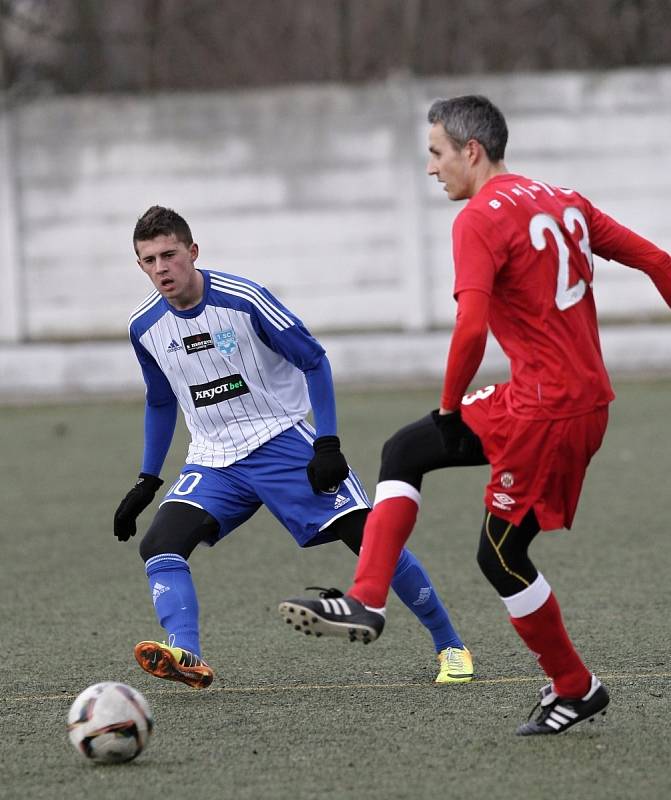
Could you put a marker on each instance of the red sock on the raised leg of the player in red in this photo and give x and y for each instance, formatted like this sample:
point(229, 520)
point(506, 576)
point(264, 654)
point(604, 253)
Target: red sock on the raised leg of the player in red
point(388, 527)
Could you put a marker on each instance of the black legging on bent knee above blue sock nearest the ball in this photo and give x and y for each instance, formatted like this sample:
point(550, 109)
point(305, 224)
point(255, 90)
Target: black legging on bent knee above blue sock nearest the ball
point(177, 528)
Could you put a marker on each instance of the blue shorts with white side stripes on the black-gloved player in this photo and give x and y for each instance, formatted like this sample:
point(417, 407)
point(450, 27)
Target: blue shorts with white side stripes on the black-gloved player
point(272, 475)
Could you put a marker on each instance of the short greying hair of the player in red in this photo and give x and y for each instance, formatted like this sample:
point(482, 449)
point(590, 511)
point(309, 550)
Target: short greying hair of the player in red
point(472, 116)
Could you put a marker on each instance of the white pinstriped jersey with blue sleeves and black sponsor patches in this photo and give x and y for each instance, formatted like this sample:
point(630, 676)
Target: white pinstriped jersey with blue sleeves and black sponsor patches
point(235, 363)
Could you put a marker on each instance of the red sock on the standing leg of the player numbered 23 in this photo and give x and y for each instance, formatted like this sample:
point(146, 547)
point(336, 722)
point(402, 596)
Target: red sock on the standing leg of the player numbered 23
point(544, 634)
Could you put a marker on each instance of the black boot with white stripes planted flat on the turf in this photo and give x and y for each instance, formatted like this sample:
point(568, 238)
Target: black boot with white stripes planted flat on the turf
point(558, 714)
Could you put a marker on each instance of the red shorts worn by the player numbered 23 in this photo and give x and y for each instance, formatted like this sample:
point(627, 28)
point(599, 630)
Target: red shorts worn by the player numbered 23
point(535, 464)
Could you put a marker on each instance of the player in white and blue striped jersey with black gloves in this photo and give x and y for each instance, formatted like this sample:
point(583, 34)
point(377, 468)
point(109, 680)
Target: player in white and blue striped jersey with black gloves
point(245, 372)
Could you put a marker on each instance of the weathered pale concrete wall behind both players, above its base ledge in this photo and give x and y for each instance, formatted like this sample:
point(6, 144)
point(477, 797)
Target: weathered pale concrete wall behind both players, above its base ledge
point(317, 192)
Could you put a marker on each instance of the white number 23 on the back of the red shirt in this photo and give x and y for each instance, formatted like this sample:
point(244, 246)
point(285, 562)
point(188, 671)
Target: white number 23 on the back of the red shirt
point(566, 296)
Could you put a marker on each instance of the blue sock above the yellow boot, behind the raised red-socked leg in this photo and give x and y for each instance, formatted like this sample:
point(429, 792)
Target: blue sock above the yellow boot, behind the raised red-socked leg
point(413, 586)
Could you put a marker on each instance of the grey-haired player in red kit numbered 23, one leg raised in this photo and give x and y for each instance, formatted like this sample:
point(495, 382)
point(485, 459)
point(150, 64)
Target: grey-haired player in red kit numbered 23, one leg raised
point(523, 269)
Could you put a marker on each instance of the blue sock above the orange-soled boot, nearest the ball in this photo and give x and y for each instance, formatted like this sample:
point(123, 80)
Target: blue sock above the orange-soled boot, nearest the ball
point(175, 600)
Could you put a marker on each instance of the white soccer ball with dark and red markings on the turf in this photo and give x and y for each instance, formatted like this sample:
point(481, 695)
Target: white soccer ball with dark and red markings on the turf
point(109, 723)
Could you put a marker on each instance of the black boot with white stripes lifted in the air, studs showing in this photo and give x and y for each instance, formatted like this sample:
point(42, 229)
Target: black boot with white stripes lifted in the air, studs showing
point(333, 614)
